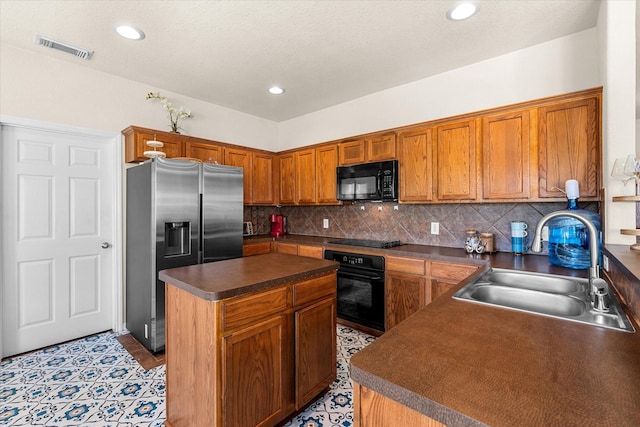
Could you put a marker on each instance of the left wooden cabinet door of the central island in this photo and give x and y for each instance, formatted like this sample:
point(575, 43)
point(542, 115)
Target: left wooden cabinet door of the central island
point(256, 374)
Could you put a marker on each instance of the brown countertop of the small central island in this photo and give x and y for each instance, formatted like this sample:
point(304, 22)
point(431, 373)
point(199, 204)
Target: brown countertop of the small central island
point(224, 279)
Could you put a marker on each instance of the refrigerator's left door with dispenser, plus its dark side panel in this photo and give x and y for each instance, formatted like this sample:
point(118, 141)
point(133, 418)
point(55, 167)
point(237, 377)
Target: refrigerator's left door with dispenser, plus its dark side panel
point(162, 232)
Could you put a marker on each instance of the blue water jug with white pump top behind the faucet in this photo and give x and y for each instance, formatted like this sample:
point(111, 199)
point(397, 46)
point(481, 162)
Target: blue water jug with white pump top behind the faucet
point(569, 238)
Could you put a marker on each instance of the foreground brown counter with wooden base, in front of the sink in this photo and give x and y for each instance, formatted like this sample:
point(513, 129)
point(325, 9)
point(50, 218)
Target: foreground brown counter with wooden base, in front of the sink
point(462, 364)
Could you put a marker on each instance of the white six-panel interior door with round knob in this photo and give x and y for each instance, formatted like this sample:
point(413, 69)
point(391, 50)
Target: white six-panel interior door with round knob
point(57, 235)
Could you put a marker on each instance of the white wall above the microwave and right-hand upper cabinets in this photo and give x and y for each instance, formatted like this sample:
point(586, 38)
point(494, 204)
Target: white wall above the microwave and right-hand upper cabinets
point(560, 66)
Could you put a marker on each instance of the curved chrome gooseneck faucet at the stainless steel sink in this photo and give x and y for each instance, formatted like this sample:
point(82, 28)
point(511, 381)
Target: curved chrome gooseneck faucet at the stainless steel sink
point(598, 288)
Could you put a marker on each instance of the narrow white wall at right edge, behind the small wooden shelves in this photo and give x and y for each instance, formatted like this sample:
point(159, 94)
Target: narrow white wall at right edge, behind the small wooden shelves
point(616, 44)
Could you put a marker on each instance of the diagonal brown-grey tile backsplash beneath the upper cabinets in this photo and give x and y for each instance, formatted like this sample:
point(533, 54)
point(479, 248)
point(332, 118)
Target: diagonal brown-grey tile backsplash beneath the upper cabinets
point(409, 223)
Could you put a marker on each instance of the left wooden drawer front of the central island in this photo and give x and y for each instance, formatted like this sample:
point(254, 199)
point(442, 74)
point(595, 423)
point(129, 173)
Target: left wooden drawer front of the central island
point(242, 311)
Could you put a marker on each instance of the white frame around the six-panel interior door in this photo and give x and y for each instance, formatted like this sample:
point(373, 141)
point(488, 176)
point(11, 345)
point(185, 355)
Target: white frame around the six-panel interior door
point(117, 315)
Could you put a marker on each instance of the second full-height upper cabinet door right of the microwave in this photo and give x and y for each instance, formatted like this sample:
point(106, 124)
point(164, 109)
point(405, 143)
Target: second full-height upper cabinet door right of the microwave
point(456, 161)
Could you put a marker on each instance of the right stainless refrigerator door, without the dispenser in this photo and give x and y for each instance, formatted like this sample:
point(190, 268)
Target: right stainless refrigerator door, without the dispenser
point(222, 206)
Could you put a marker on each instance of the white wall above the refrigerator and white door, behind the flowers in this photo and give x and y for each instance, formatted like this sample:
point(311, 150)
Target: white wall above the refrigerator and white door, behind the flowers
point(42, 88)
